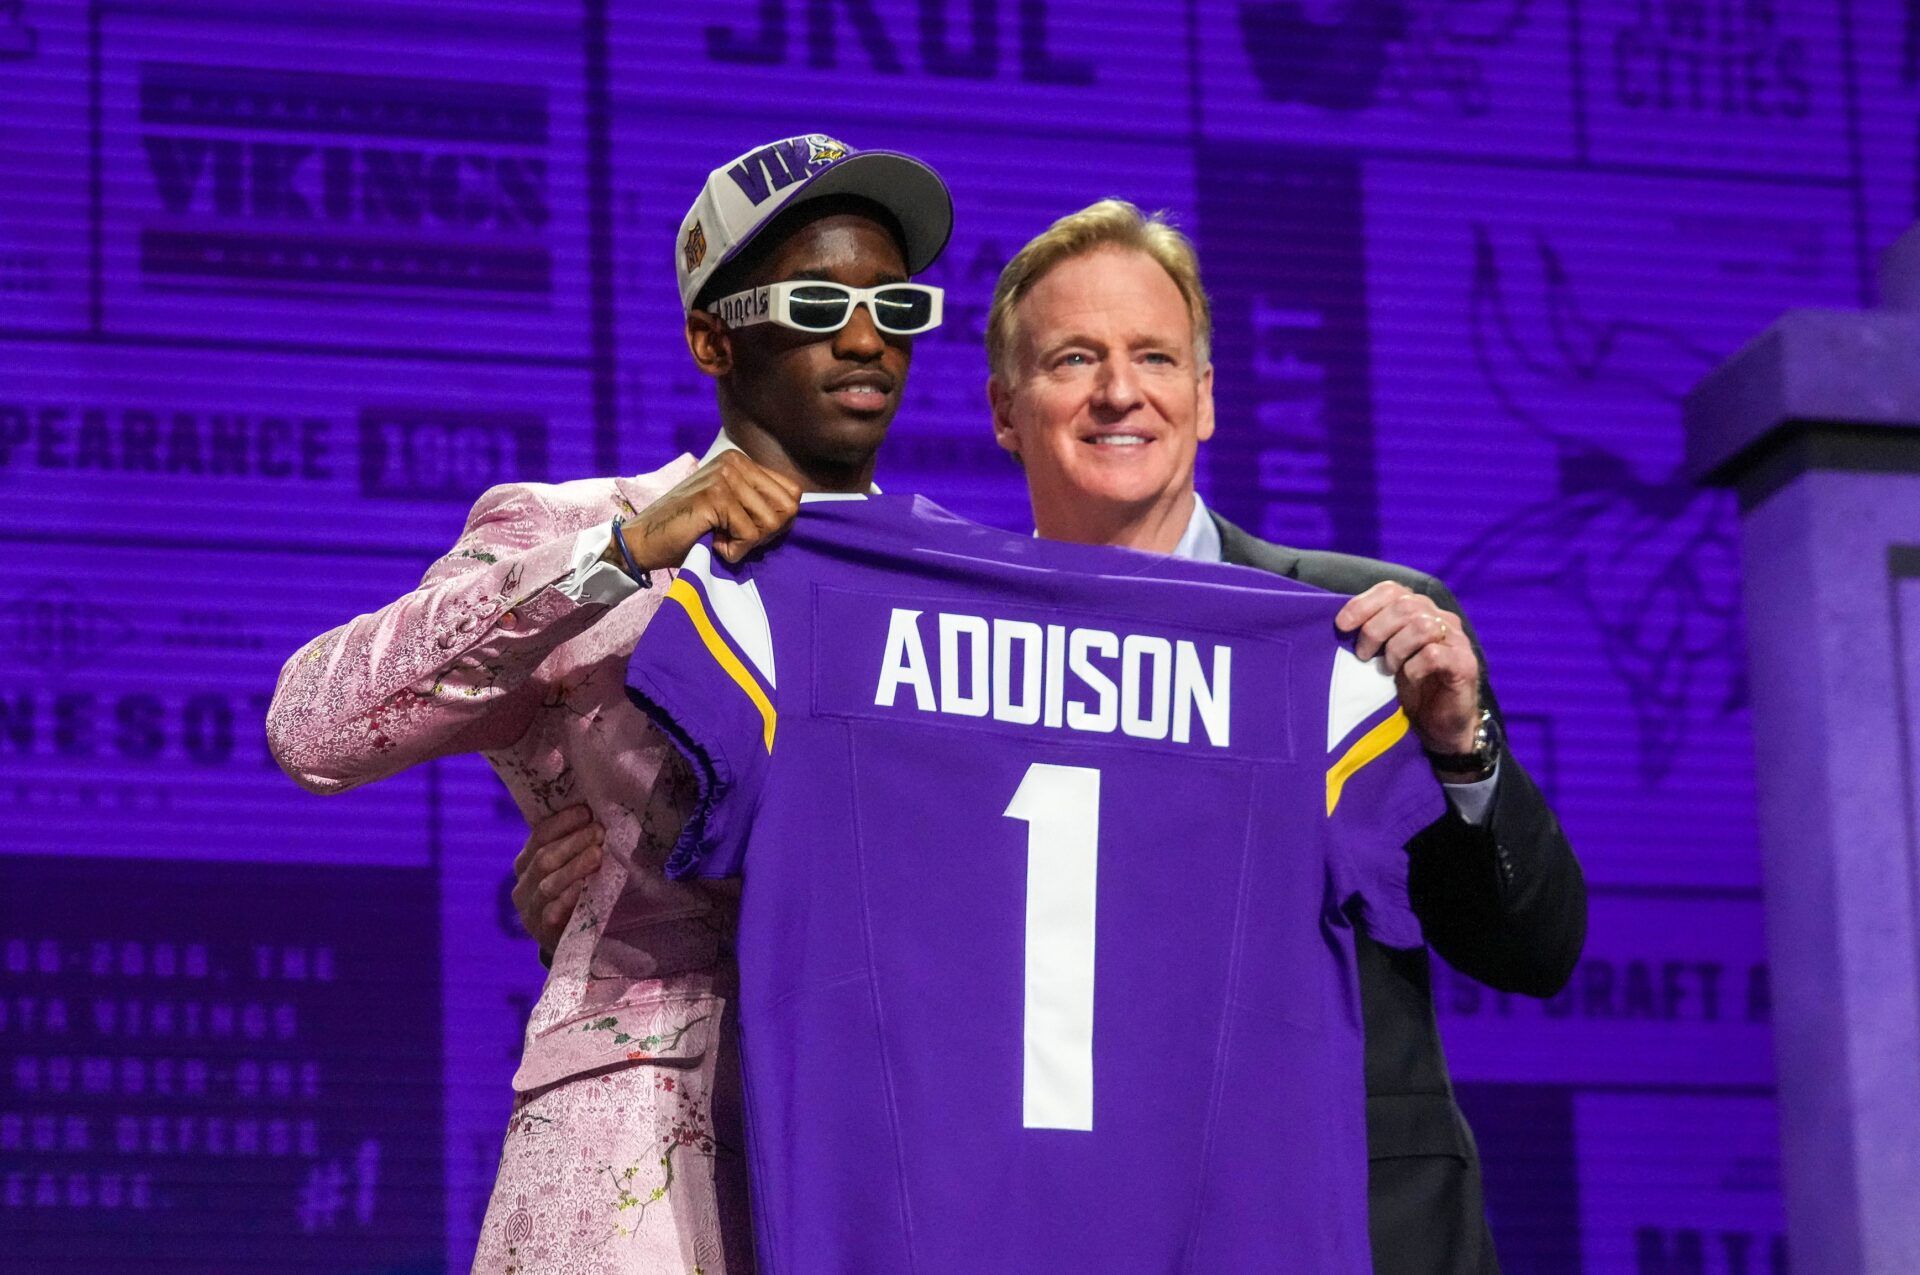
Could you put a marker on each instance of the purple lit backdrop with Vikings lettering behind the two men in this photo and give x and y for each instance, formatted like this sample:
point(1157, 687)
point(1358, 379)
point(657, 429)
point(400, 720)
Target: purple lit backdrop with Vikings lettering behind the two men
point(285, 287)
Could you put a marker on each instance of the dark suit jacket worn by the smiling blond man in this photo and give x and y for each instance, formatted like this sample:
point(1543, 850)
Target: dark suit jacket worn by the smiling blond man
point(1502, 903)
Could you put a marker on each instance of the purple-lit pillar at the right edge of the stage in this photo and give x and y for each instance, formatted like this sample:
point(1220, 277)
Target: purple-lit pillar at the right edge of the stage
point(1817, 425)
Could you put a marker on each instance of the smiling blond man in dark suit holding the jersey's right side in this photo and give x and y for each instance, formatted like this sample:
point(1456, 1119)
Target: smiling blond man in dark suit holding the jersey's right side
point(1101, 387)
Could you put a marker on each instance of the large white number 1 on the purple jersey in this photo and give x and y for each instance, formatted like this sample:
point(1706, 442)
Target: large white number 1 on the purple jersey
point(1061, 807)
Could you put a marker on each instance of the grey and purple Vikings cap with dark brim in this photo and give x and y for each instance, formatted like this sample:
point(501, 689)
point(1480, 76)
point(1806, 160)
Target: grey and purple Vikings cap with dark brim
point(748, 193)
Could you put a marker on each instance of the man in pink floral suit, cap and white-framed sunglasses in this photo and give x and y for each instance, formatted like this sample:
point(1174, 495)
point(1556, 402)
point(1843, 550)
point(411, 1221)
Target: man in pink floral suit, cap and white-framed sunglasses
point(517, 642)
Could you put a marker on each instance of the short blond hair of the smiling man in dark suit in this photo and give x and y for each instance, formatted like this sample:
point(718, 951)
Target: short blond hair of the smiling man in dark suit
point(1109, 224)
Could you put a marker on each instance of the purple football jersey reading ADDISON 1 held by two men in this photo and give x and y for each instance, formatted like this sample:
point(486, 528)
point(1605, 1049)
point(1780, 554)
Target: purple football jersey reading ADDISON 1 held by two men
point(1053, 859)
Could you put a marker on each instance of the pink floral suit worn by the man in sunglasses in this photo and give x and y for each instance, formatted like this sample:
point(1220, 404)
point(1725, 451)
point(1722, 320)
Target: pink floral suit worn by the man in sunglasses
point(612, 1155)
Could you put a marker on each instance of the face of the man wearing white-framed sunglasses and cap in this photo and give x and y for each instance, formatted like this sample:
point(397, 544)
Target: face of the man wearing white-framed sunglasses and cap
point(815, 406)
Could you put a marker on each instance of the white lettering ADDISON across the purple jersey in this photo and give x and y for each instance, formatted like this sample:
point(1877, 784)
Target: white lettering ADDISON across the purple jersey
point(1049, 675)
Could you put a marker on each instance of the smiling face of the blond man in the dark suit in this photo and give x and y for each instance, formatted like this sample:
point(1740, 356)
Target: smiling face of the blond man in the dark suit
point(1105, 402)
